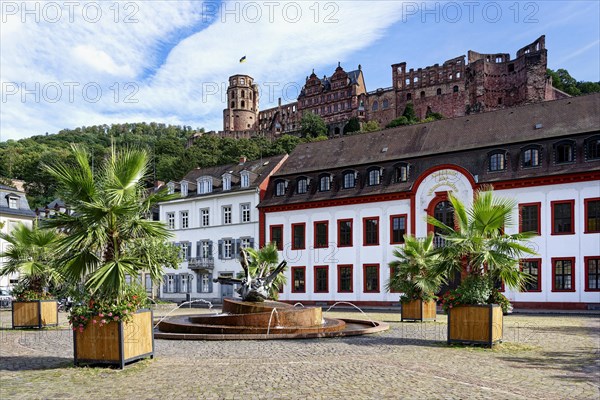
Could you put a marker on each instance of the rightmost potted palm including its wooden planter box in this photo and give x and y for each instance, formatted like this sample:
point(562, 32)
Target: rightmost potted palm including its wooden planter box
point(478, 247)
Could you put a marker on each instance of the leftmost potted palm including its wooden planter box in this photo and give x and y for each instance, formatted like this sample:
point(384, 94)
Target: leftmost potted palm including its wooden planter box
point(28, 254)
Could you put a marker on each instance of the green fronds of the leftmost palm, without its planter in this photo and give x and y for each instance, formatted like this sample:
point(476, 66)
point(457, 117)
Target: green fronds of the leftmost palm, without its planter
point(29, 253)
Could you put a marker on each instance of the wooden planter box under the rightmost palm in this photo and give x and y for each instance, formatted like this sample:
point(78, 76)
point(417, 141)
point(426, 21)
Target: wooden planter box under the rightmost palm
point(477, 324)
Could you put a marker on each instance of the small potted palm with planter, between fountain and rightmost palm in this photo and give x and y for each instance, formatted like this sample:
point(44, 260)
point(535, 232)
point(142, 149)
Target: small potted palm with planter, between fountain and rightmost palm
point(414, 274)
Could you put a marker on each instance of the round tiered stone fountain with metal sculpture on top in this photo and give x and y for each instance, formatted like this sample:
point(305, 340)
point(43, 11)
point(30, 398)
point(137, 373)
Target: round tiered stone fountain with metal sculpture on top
point(255, 317)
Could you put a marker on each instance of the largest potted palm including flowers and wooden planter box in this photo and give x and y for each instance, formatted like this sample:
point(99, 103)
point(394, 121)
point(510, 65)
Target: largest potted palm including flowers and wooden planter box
point(108, 237)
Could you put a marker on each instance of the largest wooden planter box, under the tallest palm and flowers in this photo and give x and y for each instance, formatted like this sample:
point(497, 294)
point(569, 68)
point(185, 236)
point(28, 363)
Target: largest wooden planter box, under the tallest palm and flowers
point(116, 343)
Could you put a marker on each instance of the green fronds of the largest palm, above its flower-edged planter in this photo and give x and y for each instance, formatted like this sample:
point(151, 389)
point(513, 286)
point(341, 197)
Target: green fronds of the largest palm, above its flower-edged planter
point(110, 225)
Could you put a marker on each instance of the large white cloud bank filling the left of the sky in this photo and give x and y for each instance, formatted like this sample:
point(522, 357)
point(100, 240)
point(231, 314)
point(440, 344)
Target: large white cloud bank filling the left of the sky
point(158, 68)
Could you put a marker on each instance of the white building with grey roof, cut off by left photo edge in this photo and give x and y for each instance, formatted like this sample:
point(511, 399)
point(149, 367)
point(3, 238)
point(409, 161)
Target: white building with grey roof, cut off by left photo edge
point(14, 210)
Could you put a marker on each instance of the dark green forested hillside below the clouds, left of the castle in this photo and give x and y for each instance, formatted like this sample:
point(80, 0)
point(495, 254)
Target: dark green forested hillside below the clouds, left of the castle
point(171, 158)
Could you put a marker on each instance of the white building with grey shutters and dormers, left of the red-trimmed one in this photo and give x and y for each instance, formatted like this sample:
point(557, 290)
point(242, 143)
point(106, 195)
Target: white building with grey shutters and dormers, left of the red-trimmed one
point(215, 217)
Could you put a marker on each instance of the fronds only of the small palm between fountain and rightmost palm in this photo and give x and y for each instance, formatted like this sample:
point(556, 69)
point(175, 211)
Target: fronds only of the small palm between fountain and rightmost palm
point(414, 269)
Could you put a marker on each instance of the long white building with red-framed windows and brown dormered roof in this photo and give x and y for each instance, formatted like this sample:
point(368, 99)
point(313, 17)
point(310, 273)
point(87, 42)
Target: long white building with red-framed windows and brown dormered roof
point(338, 208)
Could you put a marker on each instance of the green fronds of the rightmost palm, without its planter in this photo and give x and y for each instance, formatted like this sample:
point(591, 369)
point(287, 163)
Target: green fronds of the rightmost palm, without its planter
point(479, 240)
